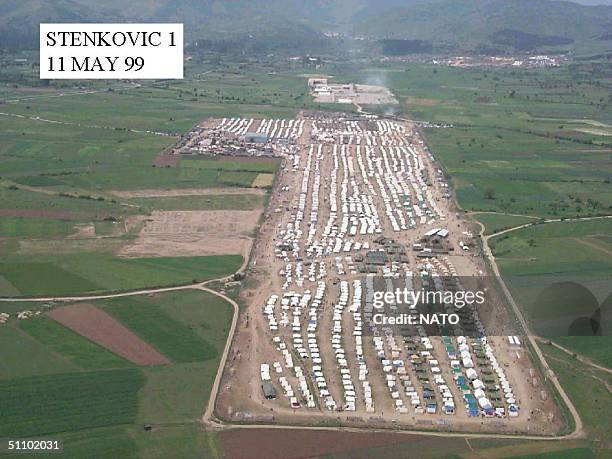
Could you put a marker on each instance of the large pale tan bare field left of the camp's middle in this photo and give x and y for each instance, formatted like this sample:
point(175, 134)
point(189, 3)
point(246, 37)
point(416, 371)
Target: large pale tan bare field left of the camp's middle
point(194, 233)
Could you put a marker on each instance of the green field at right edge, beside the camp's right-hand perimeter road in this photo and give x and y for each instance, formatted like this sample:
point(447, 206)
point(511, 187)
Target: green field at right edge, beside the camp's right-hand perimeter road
point(540, 257)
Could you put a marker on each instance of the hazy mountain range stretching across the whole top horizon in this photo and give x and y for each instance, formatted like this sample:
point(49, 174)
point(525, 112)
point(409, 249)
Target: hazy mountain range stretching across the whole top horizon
point(426, 25)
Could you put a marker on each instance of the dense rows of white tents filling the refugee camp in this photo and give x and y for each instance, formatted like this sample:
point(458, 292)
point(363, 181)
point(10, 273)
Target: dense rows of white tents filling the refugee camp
point(376, 180)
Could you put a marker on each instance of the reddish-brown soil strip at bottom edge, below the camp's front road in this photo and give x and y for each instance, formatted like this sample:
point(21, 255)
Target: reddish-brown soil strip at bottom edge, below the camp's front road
point(295, 444)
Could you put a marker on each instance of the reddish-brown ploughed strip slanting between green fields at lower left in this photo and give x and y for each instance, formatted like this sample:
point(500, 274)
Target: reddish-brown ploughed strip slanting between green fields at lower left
point(103, 329)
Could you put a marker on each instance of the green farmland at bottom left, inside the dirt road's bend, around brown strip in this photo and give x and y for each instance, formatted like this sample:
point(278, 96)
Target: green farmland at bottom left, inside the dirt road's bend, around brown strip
point(91, 405)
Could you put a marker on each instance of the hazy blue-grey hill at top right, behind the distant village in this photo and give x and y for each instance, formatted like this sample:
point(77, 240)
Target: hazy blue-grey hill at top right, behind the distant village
point(490, 25)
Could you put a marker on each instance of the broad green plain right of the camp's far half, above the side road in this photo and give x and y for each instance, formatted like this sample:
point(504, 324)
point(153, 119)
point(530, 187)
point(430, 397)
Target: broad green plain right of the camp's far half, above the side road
point(522, 133)
